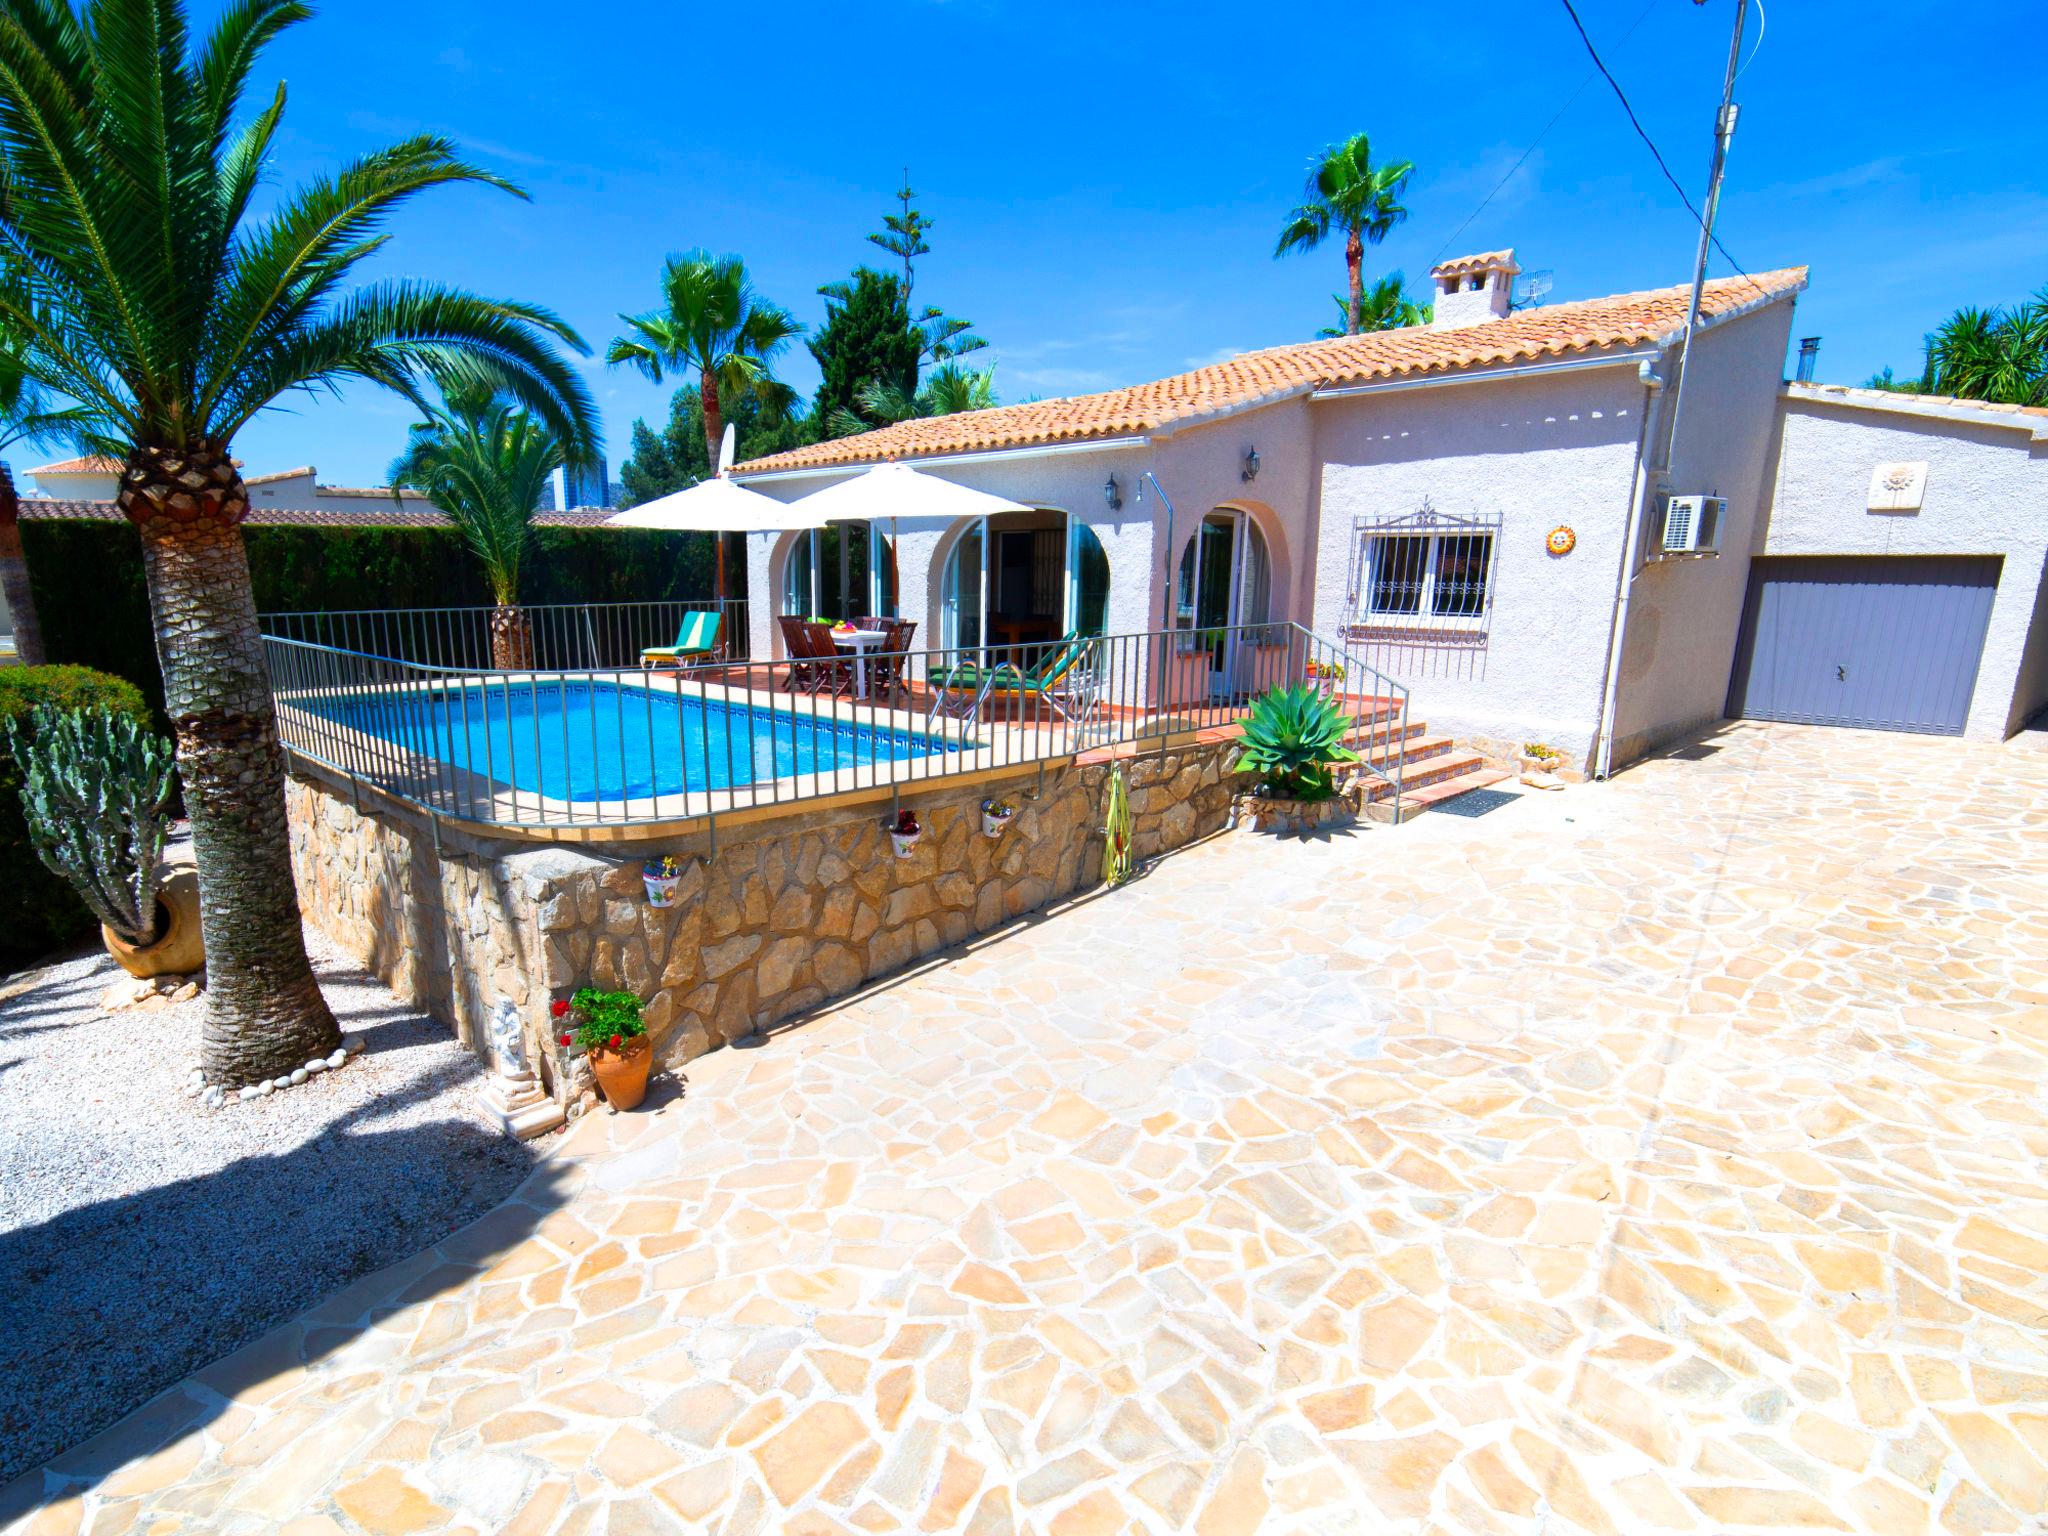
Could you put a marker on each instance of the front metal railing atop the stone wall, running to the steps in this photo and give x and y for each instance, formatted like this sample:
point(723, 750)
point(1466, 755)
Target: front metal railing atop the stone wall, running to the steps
point(587, 746)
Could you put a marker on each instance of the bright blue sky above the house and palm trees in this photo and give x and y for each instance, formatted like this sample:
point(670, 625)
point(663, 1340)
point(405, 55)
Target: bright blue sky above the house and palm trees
point(1109, 179)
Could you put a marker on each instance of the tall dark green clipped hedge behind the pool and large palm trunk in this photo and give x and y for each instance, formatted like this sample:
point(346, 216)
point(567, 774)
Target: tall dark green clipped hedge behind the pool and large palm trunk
point(95, 607)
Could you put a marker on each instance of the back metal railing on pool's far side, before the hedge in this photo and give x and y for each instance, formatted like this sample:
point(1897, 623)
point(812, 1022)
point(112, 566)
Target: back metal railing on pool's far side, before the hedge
point(560, 634)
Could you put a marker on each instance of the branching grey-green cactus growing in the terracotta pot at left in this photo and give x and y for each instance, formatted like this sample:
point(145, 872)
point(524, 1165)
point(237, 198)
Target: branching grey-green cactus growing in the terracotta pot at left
point(95, 792)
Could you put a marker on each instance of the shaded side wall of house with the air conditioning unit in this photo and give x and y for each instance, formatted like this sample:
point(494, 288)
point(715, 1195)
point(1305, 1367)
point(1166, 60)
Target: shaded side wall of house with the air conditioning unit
point(1684, 615)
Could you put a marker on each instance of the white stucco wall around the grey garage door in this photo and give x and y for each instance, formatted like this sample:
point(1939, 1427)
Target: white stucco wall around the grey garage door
point(1988, 495)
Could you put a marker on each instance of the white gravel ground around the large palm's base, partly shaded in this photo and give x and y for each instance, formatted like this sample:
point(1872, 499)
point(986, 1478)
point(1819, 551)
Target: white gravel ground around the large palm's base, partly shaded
point(144, 1238)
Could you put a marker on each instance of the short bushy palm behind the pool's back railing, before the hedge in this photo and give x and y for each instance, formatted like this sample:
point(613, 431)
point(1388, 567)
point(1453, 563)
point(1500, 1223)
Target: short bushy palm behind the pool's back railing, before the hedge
point(486, 464)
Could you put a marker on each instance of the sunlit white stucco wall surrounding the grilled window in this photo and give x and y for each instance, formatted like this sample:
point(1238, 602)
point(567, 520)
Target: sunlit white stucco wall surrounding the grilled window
point(1541, 454)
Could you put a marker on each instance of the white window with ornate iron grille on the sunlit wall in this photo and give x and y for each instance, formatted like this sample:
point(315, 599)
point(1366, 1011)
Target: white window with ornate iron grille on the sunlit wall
point(1424, 572)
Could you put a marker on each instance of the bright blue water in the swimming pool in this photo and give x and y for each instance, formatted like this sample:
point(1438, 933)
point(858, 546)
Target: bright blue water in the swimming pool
point(601, 742)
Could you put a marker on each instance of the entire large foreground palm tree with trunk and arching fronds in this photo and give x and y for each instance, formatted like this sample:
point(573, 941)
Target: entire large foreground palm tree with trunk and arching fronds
point(171, 314)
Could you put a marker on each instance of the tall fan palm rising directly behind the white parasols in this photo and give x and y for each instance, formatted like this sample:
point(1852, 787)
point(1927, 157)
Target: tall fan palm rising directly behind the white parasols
point(712, 323)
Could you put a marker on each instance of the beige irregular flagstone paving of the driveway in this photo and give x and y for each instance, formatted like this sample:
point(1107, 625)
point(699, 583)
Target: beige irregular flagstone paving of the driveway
point(1664, 1156)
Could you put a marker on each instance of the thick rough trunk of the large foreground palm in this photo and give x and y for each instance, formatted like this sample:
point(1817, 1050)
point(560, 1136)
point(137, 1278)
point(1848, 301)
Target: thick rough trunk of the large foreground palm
point(265, 1013)
